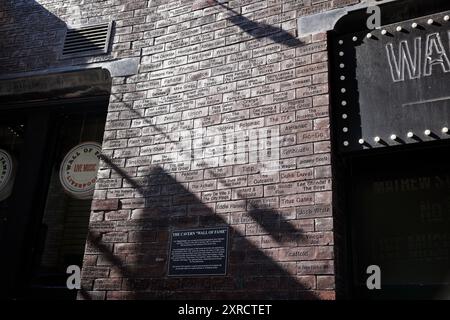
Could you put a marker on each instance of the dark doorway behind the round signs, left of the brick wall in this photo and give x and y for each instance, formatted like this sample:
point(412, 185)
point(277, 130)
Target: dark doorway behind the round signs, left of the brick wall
point(43, 229)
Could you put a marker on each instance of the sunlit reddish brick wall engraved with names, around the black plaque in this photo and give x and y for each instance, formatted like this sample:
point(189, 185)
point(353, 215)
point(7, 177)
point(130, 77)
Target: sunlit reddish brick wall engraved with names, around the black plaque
point(208, 72)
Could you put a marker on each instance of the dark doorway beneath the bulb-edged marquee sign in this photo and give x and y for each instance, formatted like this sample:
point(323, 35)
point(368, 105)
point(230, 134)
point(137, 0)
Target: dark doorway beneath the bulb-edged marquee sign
point(399, 205)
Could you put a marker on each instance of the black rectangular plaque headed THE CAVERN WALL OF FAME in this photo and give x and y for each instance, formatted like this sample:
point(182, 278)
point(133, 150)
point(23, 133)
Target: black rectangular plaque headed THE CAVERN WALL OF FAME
point(198, 252)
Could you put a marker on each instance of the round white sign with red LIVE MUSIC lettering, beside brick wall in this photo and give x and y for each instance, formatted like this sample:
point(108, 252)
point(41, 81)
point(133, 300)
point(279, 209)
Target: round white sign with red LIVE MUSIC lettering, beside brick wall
point(78, 172)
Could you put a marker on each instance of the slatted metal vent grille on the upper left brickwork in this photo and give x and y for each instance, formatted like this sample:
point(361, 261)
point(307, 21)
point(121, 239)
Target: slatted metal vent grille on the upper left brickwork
point(87, 41)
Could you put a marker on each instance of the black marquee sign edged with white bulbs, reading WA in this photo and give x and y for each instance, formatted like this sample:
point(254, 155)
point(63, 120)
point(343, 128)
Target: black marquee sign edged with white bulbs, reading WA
point(392, 85)
